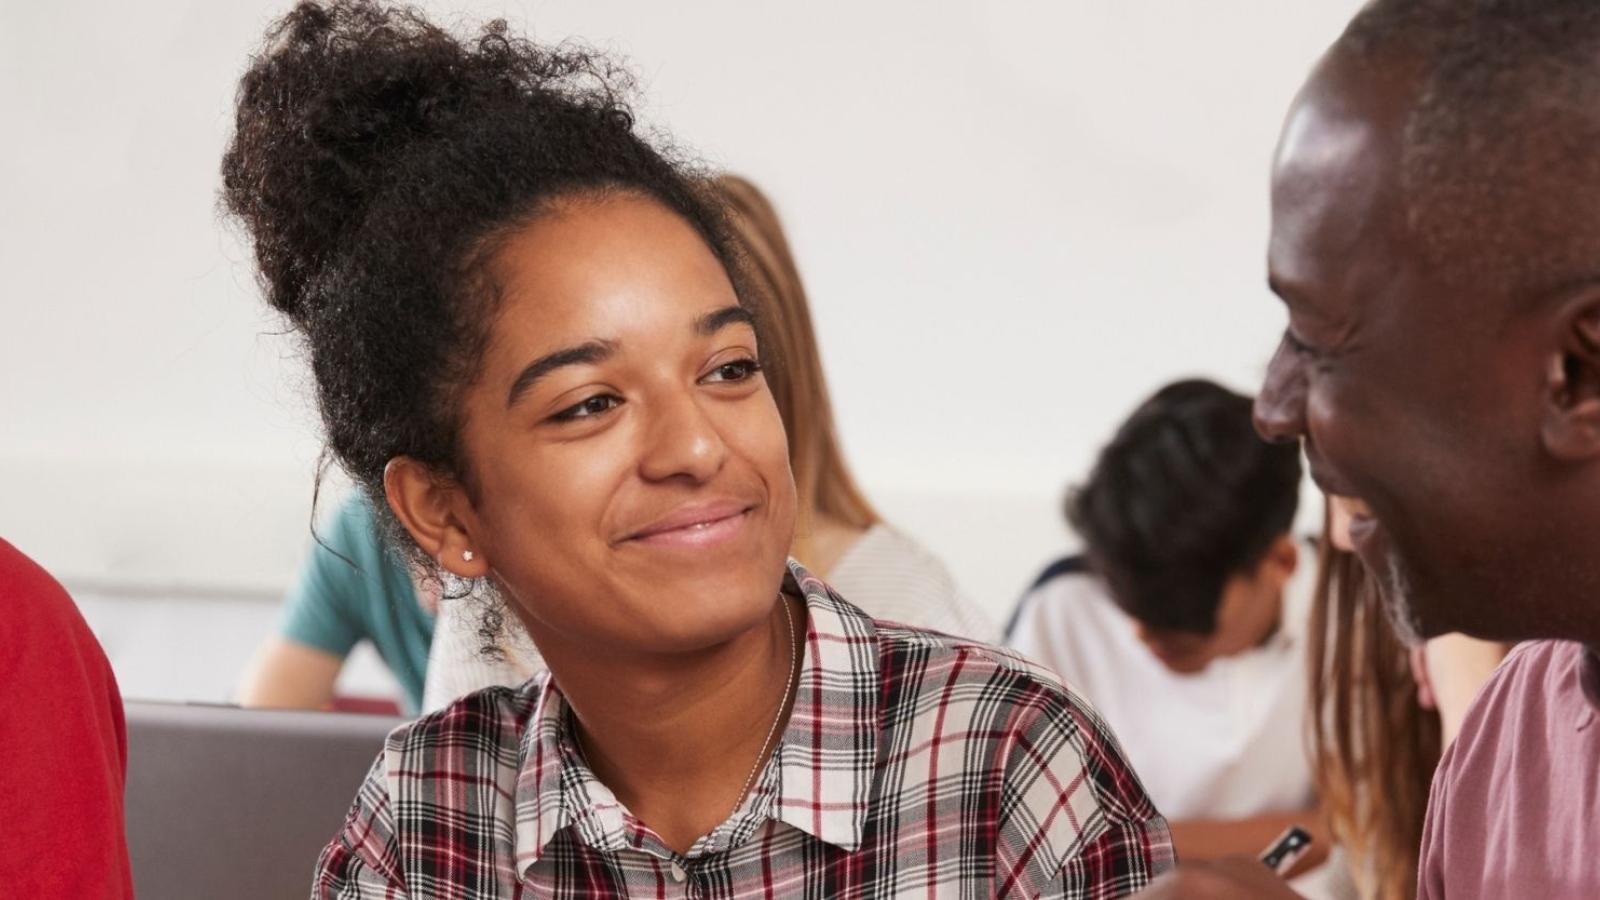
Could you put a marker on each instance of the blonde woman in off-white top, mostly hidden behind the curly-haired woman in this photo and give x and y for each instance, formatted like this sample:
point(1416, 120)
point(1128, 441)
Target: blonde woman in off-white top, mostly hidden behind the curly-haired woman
point(839, 536)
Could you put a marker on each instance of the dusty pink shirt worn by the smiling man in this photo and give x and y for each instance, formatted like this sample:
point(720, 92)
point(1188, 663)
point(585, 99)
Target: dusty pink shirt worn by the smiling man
point(1516, 805)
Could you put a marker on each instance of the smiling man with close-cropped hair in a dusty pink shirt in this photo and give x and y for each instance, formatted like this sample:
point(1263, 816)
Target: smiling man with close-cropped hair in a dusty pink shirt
point(1436, 244)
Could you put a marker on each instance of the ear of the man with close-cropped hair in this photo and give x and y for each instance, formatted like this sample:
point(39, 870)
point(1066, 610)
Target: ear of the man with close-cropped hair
point(1572, 384)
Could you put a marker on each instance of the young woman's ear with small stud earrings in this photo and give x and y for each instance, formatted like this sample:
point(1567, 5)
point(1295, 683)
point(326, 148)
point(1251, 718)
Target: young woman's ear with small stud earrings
point(438, 513)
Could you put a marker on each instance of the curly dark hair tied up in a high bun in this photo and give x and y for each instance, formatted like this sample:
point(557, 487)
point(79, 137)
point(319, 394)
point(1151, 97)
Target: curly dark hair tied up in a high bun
point(378, 164)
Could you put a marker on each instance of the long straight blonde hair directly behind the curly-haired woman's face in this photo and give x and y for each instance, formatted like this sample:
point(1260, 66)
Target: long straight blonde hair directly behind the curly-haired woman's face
point(823, 481)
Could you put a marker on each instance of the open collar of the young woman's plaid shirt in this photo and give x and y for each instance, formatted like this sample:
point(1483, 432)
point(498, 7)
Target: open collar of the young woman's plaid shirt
point(818, 781)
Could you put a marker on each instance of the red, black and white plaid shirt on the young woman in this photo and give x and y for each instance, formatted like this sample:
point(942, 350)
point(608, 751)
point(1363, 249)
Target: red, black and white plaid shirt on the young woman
point(914, 765)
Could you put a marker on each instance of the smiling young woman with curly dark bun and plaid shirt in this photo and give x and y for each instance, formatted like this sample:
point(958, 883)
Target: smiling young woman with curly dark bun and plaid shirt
point(529, 339)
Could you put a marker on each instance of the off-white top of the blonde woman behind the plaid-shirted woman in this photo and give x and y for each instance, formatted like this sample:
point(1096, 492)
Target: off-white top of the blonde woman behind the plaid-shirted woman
point(886, 574)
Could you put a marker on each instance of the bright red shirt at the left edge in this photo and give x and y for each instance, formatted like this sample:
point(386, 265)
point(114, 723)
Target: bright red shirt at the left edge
point(63, 745)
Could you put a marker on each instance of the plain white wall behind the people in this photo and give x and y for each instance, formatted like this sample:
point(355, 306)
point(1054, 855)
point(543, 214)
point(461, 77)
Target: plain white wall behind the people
point(1017, 219)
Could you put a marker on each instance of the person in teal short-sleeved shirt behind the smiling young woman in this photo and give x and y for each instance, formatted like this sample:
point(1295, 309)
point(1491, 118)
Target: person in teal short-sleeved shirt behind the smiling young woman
point(351, 589)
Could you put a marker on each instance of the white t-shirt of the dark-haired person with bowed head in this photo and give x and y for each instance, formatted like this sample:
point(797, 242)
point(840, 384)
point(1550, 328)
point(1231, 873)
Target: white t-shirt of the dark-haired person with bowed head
point(1228, 742)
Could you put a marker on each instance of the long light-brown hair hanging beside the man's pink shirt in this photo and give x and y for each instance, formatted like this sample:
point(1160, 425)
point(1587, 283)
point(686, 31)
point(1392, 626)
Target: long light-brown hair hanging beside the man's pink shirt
point(1374, 745)
